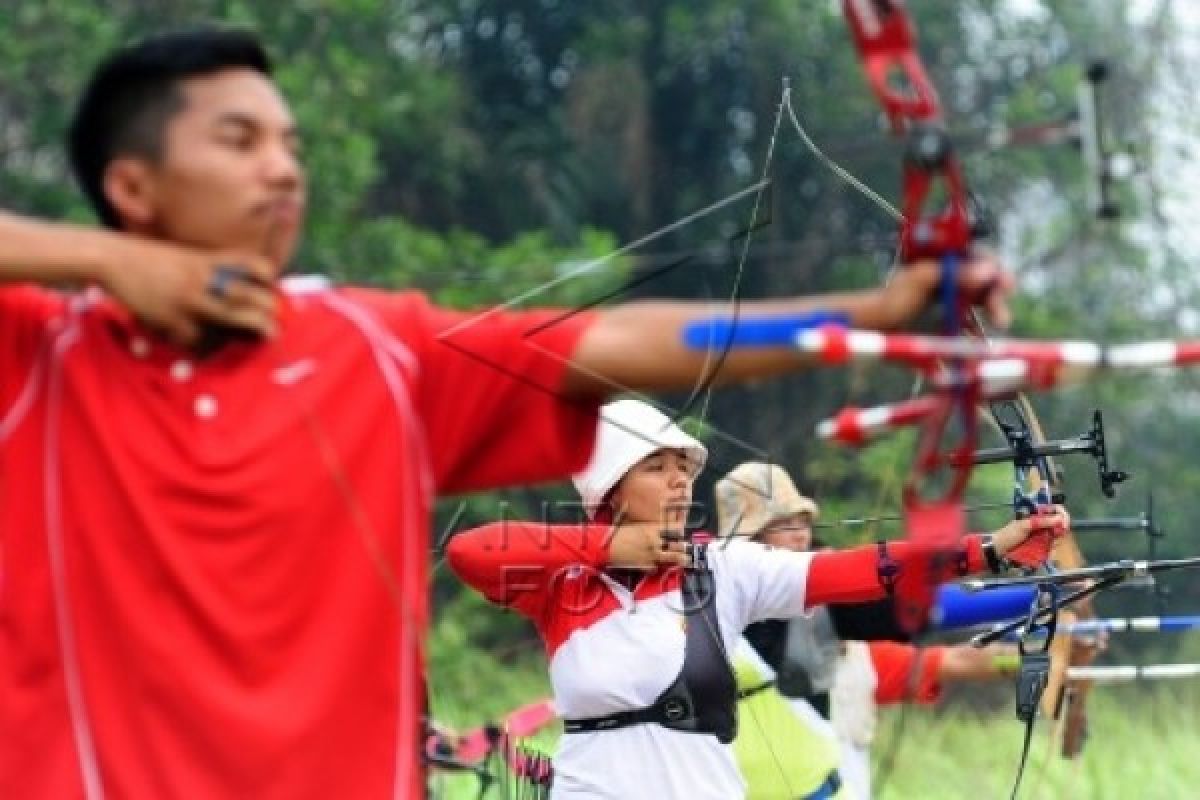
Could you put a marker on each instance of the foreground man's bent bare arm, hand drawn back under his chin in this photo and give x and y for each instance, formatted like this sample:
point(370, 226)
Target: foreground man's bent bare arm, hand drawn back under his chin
point(165, 286)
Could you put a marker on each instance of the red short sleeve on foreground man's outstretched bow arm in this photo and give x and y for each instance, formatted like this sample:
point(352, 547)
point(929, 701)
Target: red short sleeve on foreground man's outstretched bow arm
point(490, 394)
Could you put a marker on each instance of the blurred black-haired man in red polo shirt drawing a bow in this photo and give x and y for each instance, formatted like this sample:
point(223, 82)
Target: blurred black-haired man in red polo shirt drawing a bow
point(215, 484)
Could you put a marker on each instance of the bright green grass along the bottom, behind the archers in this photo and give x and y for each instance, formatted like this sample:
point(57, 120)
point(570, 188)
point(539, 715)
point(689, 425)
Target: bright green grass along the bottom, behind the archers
point(1144, 743)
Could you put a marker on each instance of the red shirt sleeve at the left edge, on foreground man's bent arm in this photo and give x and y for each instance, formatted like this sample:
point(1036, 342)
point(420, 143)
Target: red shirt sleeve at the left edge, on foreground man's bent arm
point(25, 315)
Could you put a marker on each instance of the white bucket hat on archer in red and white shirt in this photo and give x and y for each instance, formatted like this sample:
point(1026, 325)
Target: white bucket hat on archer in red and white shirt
point(629, 432)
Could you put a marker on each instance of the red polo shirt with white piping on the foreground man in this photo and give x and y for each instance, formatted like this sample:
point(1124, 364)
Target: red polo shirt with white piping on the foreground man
point(215, 572)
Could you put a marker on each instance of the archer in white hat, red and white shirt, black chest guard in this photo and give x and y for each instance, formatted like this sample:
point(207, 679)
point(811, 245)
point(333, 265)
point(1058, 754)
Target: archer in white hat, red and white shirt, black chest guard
point(639, 622)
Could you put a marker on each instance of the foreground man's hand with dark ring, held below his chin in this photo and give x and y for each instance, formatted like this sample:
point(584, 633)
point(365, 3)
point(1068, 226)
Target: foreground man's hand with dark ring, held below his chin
point(182, 292)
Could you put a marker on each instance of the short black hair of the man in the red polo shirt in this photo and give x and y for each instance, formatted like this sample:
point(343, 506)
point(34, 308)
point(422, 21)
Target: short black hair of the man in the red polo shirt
point(134, 94)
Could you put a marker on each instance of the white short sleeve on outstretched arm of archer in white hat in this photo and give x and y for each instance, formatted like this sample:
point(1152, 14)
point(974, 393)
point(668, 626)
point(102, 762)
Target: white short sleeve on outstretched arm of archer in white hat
point(765, 582)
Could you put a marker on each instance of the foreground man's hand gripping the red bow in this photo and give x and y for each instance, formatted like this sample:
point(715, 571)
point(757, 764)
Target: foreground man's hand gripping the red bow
point(916, 286)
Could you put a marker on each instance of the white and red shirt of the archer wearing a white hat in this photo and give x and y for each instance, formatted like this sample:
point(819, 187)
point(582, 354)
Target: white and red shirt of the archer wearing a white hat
point(611, 649)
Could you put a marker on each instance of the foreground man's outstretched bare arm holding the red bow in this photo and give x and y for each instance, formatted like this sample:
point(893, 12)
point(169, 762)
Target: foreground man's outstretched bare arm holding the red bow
point(641, 345)
